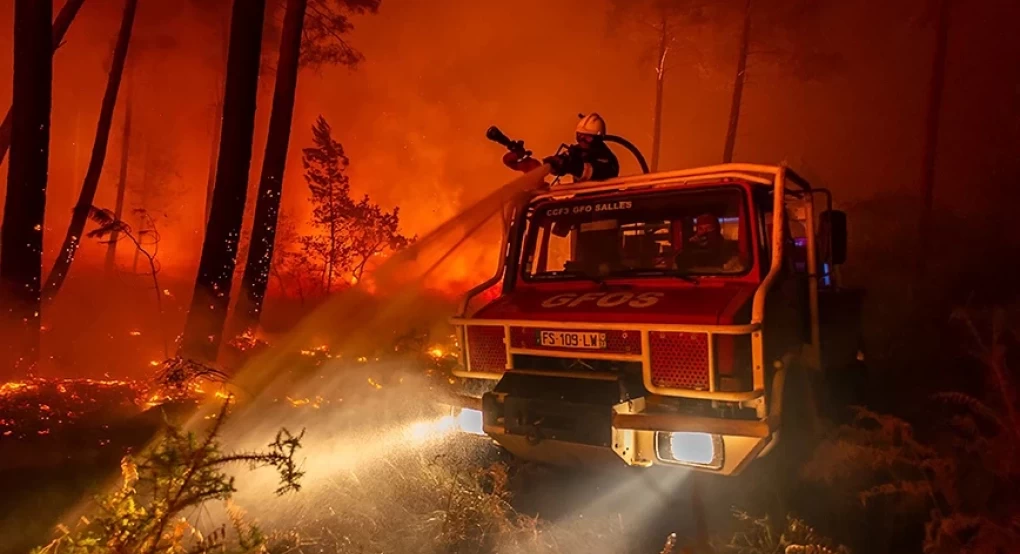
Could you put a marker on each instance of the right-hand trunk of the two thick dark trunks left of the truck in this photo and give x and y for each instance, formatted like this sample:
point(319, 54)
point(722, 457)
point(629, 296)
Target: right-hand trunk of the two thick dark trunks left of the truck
point(271, 189)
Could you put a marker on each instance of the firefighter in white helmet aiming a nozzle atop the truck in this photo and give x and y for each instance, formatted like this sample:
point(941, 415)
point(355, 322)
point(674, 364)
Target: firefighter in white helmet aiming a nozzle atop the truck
point(589, 160)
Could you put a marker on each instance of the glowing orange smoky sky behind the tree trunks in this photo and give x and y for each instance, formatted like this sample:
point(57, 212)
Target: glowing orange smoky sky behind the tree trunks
point(436, 75)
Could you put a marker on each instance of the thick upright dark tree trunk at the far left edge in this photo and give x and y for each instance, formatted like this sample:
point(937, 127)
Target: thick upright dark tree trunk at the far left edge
point(22, 232)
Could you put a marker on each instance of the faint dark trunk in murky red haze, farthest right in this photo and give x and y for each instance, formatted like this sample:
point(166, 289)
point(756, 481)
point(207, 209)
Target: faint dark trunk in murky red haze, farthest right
point(932, 123)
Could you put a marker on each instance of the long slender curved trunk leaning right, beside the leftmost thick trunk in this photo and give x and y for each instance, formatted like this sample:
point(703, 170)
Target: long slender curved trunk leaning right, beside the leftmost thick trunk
point(88, 195)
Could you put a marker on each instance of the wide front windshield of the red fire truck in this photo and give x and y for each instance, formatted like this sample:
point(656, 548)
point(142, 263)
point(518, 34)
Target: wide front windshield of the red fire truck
point(684, 234)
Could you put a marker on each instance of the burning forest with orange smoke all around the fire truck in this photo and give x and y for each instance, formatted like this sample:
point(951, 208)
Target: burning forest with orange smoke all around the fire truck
point(235, 233)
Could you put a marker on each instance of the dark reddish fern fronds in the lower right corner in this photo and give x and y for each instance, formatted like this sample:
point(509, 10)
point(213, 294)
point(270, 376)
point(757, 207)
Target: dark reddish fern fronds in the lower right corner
point(962, 478)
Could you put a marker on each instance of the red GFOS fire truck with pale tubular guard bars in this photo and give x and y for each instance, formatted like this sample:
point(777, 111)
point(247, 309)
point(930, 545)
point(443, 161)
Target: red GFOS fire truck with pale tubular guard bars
point(614, 330)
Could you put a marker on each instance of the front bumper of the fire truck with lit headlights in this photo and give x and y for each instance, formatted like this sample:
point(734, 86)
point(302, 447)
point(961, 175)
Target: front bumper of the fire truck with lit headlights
point(600, 430)
